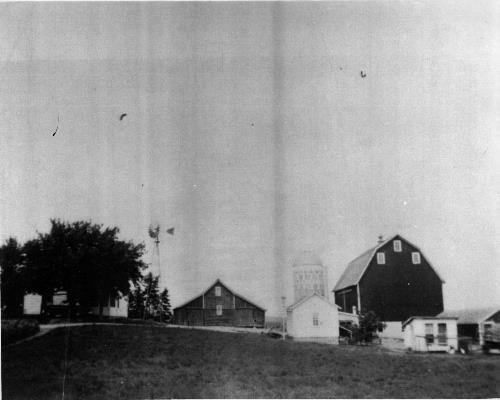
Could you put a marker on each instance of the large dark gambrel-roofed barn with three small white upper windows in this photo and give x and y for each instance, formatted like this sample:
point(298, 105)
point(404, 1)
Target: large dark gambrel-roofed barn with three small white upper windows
point(395, 280)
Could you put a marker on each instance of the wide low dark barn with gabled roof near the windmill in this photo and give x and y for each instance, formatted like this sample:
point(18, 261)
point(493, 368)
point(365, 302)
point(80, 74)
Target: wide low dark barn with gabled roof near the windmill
point(219, 305)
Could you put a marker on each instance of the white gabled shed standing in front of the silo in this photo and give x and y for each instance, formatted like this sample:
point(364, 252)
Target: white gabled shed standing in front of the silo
point(313, 318)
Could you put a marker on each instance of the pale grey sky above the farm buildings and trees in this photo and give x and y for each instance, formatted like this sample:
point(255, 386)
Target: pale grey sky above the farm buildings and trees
point(250, 130)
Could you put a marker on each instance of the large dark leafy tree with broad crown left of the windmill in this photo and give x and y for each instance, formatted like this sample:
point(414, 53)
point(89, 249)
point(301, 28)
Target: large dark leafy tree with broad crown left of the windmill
point(86, 260)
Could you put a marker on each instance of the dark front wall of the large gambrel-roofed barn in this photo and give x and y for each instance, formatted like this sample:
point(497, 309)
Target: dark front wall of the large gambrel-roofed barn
point(400, 289)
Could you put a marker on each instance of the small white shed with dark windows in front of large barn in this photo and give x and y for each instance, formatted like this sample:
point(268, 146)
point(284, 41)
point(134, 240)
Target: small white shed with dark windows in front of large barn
point(430, 334)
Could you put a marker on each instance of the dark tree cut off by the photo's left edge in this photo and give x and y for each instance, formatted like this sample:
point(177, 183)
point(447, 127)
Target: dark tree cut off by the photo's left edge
point(12, 277)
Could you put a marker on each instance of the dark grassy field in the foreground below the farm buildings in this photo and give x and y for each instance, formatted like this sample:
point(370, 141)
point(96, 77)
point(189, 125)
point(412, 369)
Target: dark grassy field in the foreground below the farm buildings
point(123, 362)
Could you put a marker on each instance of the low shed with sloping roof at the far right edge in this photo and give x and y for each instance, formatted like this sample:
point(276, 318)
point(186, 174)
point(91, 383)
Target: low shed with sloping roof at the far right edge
point(474, 323)
